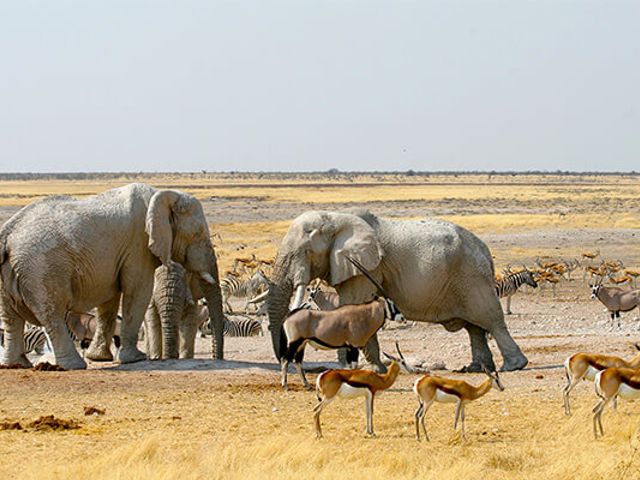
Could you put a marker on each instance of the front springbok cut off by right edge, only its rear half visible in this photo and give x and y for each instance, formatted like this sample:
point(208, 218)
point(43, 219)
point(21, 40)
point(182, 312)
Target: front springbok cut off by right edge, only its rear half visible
point(610, 384)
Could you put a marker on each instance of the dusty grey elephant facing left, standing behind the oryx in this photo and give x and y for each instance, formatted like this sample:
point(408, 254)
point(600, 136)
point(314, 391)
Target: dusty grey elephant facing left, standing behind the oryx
point(435, 271)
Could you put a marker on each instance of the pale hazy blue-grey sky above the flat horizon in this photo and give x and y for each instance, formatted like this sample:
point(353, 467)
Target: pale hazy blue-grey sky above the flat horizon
point(311, 85)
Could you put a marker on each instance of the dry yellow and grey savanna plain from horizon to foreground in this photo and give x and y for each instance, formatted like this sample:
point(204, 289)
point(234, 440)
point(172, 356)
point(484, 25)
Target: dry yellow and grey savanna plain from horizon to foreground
point(230, 419)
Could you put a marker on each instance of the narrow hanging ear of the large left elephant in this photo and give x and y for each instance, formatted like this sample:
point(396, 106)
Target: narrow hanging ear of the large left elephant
point(158, 224)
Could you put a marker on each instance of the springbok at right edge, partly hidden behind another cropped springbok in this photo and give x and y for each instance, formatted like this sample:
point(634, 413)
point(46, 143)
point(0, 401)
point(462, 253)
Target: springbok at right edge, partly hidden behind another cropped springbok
point(581, 366)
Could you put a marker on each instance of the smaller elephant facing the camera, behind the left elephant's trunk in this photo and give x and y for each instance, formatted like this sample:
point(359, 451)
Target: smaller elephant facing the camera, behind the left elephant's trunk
point(173, 313)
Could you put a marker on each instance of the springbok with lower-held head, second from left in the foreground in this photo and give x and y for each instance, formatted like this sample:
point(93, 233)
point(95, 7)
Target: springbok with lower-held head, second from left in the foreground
point(430, 388)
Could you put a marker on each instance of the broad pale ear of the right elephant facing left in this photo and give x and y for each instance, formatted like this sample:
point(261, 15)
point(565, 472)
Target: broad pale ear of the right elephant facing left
point(356, 239)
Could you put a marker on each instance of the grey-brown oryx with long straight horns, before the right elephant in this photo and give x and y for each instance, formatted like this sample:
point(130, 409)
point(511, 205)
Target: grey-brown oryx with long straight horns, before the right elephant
point(350, 326)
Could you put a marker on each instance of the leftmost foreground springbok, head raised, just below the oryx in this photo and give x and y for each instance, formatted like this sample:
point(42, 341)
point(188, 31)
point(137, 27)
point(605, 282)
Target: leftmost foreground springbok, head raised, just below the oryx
point(351, 384)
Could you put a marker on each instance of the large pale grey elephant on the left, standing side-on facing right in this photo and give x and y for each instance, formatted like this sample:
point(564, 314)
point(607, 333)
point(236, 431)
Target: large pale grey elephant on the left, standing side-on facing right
point(62, 254)
